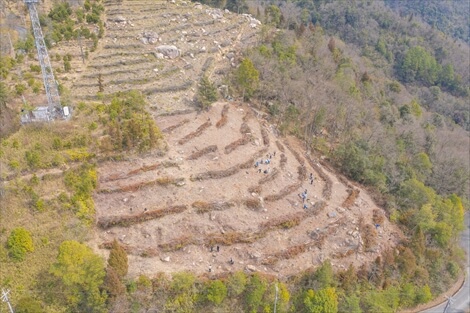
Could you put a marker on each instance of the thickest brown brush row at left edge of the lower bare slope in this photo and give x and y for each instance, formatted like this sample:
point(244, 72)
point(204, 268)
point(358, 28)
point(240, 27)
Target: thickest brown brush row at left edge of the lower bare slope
point(128, 220)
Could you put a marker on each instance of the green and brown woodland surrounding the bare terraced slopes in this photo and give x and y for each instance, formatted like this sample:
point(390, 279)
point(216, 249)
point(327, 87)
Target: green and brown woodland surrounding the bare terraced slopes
point(379, 89)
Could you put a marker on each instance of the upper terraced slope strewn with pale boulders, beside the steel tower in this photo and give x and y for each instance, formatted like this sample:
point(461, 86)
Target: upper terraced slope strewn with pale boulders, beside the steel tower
point(207, 41)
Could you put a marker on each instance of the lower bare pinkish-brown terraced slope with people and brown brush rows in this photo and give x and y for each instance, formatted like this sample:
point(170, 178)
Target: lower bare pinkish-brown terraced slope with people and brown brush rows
point(170, 211)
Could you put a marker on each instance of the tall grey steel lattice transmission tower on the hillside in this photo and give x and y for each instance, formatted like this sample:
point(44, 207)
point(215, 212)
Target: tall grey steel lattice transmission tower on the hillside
point(50, 84)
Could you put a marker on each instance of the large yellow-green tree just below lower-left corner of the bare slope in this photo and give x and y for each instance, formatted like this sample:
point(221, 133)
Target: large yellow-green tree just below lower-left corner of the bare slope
point(81, 273)
